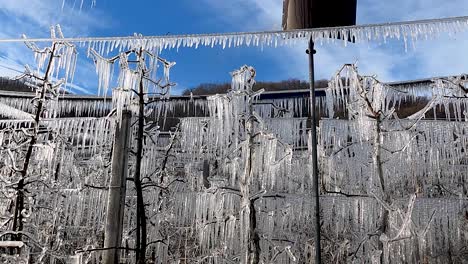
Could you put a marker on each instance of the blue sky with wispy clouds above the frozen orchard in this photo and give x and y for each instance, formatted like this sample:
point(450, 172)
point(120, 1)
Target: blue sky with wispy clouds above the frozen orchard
point(444, 56)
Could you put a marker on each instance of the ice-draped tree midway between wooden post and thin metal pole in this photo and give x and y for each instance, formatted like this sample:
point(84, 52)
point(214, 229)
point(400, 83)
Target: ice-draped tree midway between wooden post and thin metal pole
point(244, 199)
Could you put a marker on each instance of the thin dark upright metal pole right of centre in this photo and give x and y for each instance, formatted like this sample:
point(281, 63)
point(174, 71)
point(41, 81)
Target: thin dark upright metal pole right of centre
point(311, 51)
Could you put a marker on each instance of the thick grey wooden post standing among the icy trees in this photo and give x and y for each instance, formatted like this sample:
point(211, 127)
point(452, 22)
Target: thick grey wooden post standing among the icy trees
point(117, 190)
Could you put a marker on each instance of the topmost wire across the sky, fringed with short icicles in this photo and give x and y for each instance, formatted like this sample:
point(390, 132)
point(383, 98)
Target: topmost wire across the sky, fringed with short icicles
point(405, 30)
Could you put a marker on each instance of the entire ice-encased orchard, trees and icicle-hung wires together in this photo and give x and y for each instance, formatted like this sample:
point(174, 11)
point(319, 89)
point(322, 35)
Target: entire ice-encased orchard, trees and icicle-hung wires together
point(136, 175)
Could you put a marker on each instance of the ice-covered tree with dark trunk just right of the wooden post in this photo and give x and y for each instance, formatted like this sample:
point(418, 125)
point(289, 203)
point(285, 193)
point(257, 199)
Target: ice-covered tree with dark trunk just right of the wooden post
point(137, 91)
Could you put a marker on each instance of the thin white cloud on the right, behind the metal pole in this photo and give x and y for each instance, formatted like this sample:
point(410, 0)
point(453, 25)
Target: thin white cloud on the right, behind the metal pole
point(389, 62)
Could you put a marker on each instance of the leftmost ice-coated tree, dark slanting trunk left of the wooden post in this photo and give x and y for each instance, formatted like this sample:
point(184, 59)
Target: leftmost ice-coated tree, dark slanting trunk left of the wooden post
point(54, 61)
